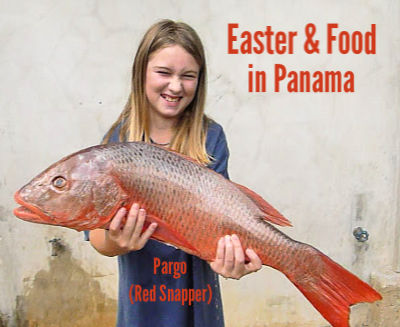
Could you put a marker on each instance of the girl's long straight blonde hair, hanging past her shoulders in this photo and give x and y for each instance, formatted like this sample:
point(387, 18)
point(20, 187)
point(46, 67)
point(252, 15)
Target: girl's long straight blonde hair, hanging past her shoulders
point(191, 129)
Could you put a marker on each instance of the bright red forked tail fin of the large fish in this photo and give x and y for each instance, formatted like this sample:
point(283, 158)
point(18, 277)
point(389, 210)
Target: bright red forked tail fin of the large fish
point(330, 288)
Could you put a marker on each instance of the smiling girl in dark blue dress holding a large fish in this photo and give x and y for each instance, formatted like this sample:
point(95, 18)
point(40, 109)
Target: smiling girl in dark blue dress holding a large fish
point(166, 107)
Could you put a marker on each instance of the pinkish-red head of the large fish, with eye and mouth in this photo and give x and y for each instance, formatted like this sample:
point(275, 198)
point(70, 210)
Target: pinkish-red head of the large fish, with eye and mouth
point(78, 192)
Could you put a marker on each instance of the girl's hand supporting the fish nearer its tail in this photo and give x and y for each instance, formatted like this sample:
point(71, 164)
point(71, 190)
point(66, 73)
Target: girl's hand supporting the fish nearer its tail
point(230, 259)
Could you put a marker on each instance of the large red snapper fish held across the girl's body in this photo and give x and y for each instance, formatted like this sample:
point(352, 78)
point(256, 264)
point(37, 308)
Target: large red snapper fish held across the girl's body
point(193, 206)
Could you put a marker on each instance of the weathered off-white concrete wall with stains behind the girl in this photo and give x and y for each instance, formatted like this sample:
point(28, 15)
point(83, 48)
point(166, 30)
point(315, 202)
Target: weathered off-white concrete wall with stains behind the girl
point(329, 162)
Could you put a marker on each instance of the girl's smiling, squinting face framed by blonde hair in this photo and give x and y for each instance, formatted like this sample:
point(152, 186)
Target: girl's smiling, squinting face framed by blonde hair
point(171, 81)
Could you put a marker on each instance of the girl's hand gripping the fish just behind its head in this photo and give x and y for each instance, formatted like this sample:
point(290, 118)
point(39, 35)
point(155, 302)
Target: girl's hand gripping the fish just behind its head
point(129, 237)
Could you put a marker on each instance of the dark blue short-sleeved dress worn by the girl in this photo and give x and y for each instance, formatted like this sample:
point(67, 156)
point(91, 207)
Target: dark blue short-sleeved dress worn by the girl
point(137, 268)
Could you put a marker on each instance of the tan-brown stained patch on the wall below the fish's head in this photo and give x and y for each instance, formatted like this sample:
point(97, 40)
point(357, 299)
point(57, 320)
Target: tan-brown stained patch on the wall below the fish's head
point(64, 296)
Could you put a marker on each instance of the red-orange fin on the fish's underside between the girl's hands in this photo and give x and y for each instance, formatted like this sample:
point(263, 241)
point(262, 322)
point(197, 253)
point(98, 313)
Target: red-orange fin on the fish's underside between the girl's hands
point(165, 234)
